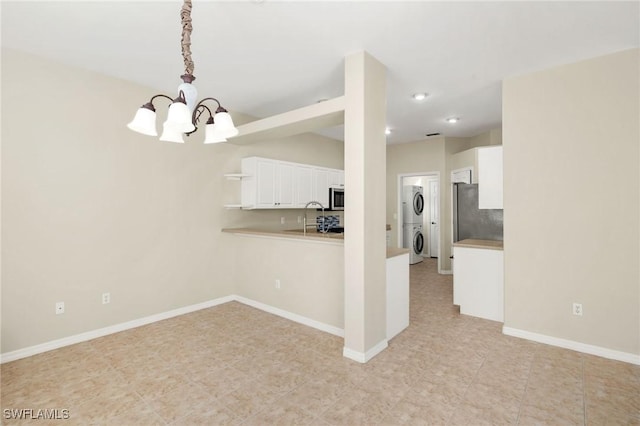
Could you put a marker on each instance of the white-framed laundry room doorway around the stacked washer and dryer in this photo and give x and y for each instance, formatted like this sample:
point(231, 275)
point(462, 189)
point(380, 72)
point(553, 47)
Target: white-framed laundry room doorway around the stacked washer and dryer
point(430, 184)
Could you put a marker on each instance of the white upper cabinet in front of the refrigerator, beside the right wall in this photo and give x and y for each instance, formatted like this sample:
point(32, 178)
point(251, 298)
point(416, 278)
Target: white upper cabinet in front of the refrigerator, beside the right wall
point(490, 177)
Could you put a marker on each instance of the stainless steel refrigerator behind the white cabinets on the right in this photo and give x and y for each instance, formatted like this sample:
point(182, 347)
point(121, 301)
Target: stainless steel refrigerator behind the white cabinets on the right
point(471, 222)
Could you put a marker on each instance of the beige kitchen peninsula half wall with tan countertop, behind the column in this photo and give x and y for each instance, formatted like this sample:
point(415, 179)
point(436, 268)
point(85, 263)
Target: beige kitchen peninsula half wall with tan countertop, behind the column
point(301, 277)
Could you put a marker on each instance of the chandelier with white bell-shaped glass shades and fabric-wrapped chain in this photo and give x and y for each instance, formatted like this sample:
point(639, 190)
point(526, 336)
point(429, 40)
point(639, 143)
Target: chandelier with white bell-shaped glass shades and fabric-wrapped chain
point(184, 114)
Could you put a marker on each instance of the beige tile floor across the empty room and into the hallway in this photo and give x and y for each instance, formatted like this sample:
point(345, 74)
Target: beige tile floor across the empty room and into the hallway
point(233, 364)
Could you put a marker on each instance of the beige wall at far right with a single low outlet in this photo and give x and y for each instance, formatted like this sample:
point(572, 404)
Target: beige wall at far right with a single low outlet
point(571, 201)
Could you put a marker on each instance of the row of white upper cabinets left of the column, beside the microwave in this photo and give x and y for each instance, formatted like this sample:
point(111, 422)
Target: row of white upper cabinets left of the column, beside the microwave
point(274, 184)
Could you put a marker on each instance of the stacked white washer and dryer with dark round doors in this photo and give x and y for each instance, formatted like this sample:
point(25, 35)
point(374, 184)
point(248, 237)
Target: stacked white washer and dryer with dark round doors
point(412, 208)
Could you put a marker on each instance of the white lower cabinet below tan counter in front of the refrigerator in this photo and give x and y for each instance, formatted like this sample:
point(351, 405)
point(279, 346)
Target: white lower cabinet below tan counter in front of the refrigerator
point(478, 282)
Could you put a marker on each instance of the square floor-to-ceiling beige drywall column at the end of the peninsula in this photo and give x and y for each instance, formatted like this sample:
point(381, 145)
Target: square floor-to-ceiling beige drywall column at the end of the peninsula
point(365, 240)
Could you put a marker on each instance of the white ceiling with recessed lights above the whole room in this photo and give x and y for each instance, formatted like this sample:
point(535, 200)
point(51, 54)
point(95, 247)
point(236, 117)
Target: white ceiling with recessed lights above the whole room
point(267, 57)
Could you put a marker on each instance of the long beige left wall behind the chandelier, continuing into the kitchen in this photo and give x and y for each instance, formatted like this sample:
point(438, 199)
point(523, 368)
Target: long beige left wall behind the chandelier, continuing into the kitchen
point(90, 207)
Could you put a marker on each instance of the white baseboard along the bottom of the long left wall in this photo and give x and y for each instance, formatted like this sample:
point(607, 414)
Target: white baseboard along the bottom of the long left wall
point(89, 335)
